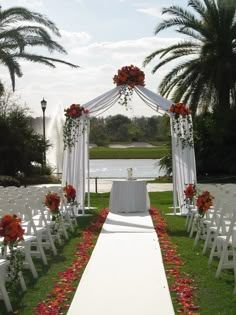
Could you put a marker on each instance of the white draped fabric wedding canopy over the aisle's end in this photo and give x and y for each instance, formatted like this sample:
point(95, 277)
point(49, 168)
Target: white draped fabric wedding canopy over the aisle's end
point(76, 160)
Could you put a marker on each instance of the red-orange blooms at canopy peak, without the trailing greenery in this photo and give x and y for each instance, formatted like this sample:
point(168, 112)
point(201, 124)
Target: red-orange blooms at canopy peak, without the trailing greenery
point(129, 75)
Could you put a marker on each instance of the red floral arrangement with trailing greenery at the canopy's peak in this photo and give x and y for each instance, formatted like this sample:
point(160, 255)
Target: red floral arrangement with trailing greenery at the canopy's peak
point(127, 78)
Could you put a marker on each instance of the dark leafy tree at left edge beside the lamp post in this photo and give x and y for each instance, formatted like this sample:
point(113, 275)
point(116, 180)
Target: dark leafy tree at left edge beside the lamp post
point(20, 146)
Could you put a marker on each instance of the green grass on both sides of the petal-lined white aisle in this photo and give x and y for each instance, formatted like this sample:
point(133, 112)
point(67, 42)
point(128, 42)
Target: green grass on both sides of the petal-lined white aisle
point(214, 295)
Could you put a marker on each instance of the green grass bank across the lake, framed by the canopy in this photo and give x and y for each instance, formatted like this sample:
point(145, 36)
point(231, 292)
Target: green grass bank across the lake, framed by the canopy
point(128, 153)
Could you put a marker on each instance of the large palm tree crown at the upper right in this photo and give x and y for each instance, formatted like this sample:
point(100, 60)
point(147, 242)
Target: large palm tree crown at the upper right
point(205, 78)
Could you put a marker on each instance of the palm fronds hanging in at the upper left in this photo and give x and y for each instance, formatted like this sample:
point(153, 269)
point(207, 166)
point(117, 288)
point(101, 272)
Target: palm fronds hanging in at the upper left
point(21, 30)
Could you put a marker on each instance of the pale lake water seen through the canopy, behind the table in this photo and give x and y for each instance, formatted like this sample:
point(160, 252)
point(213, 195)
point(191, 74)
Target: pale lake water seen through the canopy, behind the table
point(142, 168)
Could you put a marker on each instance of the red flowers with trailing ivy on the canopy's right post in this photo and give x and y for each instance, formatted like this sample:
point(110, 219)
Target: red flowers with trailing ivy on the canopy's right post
point(182, 123)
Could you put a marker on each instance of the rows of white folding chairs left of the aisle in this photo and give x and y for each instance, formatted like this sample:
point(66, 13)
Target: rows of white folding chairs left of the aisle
point(40, 233)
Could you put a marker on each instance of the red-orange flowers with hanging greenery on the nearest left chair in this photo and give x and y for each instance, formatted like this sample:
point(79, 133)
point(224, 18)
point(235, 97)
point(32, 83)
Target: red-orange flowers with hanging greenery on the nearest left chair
point(12, 233)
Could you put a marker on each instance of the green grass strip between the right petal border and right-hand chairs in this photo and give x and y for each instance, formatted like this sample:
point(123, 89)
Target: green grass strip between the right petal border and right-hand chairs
point(215, 295)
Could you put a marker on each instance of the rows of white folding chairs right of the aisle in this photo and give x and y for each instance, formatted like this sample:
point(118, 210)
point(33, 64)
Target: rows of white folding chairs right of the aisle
point(217, 229)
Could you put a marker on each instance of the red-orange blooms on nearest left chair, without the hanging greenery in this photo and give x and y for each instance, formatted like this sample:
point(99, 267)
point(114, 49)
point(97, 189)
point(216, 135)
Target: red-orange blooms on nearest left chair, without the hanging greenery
point(10, 229)
